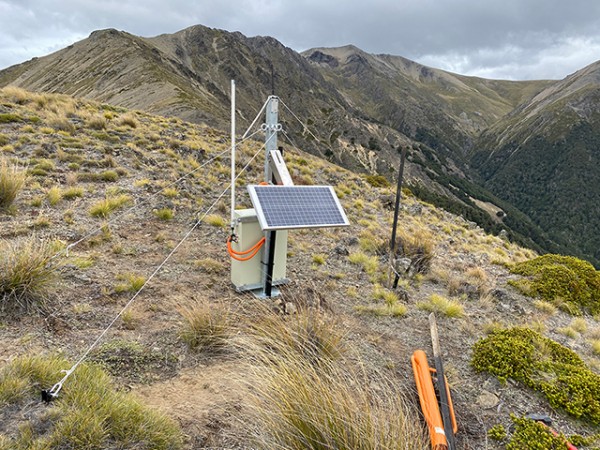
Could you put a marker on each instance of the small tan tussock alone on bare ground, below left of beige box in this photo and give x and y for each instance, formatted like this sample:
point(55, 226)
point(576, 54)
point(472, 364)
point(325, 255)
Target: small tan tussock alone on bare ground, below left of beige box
point(206, 328)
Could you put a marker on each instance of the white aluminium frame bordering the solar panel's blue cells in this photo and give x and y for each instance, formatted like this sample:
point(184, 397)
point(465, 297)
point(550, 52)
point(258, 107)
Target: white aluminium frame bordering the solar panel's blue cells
point(262, 216)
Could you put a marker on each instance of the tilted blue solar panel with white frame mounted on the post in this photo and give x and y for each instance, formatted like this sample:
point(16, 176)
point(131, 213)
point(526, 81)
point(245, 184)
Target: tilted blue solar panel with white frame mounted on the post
point(290, 207)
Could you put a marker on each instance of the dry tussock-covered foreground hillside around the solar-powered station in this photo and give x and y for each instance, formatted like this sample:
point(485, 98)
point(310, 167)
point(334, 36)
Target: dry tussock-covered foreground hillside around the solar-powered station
point(108, 194)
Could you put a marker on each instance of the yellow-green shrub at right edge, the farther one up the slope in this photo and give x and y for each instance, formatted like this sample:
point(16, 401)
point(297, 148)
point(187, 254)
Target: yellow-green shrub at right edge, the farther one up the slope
point(564, 280)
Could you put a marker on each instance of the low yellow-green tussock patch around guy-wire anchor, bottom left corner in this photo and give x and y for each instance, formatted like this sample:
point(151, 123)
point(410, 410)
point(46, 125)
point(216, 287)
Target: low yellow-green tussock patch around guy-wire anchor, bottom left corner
point(88, 413)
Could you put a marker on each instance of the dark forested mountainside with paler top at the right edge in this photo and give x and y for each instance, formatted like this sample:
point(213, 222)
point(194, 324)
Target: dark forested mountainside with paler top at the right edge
point(544, 158)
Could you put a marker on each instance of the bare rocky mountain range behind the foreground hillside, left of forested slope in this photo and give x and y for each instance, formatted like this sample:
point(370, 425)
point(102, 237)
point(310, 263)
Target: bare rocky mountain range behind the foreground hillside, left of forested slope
point(358, 109)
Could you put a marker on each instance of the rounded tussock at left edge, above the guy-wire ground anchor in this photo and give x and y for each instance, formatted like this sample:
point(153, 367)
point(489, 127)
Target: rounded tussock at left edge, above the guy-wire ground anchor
point(27, 273)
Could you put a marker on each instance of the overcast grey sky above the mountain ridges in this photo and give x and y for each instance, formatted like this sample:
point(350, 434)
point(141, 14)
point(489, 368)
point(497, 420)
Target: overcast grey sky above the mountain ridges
point(508, 39)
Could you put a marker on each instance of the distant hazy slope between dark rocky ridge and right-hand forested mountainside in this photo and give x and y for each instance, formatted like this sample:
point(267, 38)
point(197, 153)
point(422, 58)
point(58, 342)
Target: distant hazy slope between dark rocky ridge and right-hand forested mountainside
point(443, 110)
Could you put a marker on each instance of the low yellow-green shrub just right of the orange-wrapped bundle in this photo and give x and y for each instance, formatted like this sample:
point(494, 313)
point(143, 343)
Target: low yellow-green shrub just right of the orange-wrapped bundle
point(545, 366)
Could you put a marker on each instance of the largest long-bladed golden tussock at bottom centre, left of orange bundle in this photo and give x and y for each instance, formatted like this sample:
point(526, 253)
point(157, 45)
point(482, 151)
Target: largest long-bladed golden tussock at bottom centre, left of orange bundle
point(303, 399)
